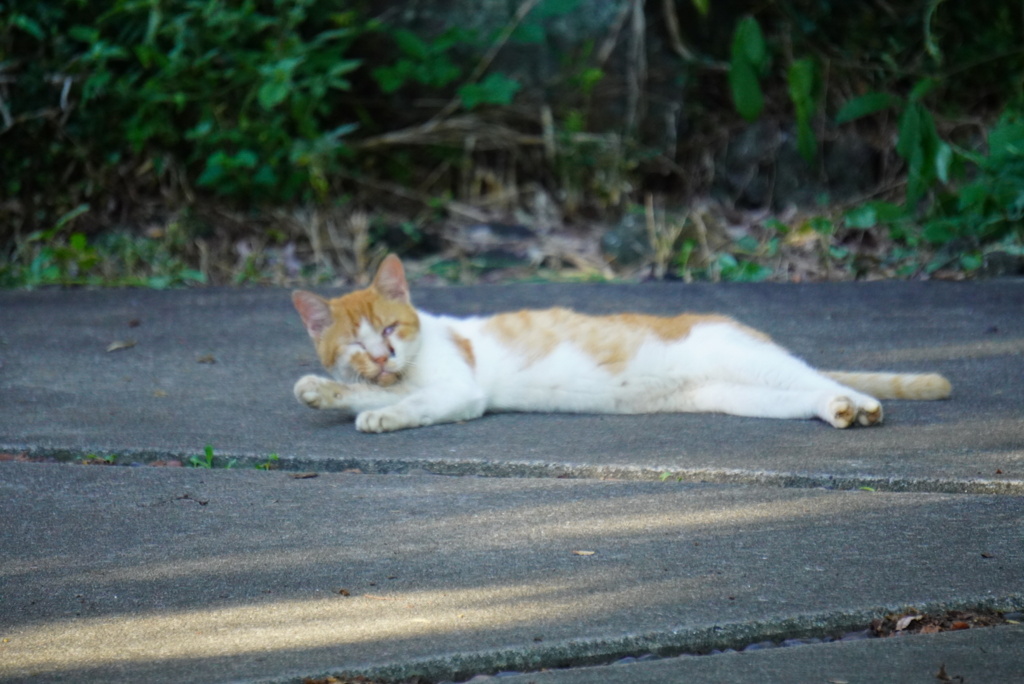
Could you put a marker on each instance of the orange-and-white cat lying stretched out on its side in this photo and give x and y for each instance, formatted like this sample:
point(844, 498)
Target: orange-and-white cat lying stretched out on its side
point(396, 367)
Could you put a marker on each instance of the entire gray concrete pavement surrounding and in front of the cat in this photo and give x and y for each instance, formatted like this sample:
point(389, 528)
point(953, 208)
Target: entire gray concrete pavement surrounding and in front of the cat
point(118, 574)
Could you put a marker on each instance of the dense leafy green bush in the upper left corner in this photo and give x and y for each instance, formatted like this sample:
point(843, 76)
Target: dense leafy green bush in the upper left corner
point(244, 96)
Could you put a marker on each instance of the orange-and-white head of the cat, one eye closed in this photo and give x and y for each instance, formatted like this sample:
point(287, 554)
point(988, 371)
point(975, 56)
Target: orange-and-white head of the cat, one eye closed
point(371, 335)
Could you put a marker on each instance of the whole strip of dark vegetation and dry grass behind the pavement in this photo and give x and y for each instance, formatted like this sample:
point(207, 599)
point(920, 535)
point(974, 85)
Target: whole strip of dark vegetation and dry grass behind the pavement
point(165, 143)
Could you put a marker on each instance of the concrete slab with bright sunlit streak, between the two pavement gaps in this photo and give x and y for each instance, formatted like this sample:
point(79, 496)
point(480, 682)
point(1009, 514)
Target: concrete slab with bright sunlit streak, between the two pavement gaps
point(161, 575)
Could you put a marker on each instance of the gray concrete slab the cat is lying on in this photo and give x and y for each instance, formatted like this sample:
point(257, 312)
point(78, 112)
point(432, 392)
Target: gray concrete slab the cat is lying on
point(61, 390)
